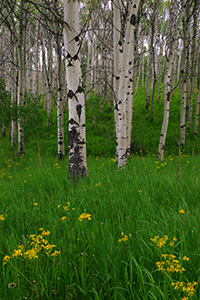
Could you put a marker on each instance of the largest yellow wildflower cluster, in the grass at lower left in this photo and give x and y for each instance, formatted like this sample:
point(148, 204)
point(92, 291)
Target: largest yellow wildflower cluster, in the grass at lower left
point(38, 244)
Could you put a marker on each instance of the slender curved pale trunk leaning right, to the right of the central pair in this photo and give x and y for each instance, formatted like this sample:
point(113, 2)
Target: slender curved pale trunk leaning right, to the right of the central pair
point(167, 87)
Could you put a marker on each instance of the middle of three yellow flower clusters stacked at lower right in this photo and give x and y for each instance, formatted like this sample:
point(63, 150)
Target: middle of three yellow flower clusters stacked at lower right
point(169, 264)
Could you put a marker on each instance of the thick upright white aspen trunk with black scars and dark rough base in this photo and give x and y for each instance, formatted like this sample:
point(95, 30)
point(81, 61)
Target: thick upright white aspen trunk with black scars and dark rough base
point(76, 99)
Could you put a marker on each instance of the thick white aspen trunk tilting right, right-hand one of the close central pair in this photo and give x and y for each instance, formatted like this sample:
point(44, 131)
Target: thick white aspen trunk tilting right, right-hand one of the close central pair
point(125, 91)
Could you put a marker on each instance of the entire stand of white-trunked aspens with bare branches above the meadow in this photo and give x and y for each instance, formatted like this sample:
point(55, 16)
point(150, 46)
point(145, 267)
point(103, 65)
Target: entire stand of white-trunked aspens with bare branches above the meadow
point(76, 55)
